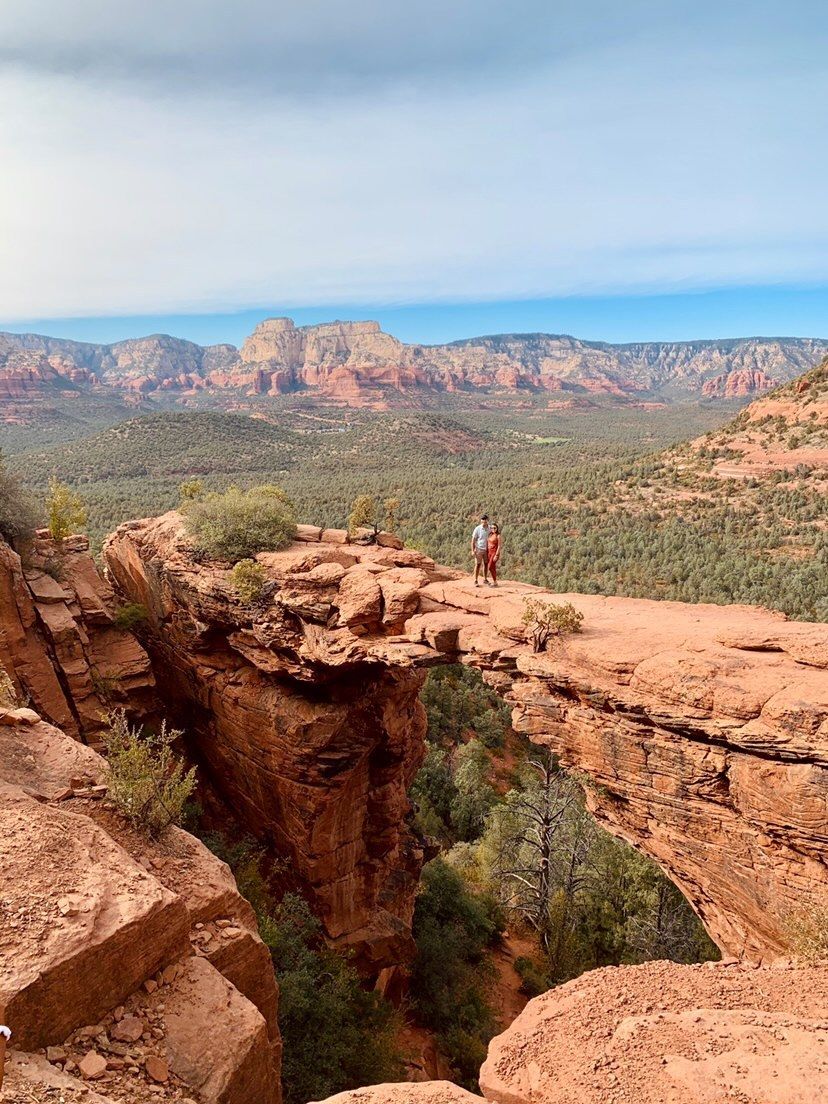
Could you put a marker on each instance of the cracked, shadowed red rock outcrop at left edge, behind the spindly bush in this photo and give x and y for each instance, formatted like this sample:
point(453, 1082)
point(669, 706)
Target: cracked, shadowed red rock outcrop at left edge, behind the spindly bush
point(60, 640)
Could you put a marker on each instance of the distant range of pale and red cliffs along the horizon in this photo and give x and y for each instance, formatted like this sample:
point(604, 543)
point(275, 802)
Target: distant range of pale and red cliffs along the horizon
point(357, 364)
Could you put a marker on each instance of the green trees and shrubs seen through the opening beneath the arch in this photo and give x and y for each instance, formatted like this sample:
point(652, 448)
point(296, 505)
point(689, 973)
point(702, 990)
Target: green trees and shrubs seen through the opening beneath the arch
point(519, 850)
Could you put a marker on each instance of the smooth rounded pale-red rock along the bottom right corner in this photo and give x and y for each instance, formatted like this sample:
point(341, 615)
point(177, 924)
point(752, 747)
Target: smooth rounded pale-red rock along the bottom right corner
point(652, 1035)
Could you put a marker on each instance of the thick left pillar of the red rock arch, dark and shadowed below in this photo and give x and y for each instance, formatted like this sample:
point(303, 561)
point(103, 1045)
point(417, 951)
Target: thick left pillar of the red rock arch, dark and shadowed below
point(312, 745)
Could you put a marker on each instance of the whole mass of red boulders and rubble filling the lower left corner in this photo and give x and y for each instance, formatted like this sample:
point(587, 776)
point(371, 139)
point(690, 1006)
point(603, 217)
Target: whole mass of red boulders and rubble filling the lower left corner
point(136, 963)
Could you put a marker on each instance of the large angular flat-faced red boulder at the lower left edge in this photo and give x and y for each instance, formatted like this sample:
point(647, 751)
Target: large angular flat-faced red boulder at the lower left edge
point(66, 967)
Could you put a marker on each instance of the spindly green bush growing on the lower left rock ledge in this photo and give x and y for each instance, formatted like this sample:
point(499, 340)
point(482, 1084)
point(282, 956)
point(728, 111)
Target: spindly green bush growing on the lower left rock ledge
point(147, 781)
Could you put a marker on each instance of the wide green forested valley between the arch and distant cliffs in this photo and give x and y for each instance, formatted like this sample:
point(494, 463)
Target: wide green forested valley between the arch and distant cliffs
point(586, 498)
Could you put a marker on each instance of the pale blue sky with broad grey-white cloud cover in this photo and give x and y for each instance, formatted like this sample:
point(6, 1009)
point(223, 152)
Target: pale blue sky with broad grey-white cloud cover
point(213, 158)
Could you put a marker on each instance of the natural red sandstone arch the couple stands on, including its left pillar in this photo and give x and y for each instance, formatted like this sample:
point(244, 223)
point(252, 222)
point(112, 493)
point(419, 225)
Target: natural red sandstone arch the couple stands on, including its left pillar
point(703, 729)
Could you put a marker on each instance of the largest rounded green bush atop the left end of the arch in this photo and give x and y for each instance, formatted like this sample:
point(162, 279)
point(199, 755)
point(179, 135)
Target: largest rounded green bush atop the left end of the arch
point(239, 524)
